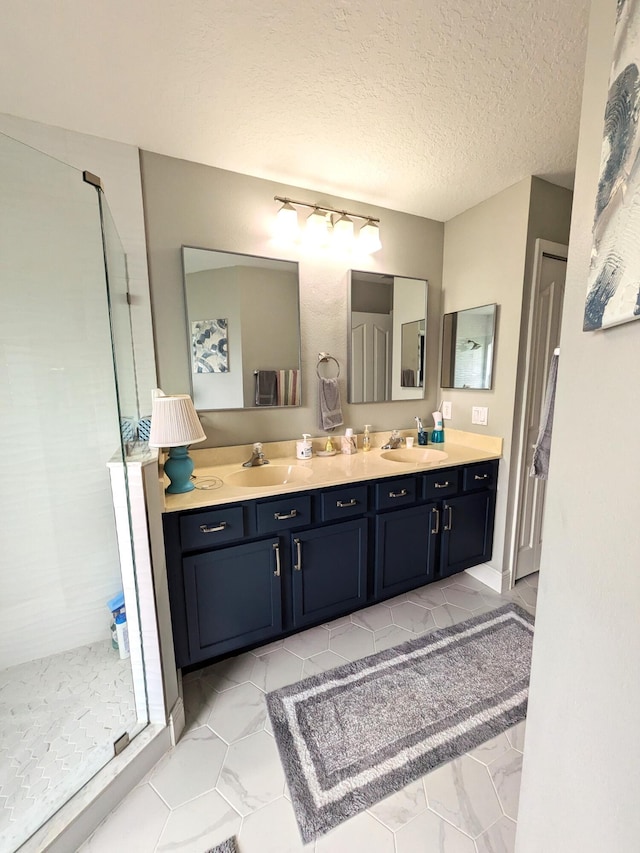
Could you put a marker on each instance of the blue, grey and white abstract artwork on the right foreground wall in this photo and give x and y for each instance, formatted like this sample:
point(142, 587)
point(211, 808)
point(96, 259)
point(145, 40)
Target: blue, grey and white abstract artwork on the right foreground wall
point(613, 290)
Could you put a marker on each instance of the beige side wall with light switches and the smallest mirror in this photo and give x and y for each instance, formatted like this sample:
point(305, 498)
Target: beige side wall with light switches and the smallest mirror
point(488, 257)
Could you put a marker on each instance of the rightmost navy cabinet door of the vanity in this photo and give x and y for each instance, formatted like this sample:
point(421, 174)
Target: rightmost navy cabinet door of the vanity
point(467, 531)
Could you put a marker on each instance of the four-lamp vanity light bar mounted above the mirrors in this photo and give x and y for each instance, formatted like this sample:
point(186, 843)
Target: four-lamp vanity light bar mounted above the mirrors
point(327, 223)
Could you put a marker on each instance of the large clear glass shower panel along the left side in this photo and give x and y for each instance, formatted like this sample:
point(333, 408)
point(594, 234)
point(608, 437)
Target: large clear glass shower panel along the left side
point(65, 693)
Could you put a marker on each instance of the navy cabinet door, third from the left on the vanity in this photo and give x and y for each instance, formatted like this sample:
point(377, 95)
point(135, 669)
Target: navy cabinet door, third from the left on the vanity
point(405, 549)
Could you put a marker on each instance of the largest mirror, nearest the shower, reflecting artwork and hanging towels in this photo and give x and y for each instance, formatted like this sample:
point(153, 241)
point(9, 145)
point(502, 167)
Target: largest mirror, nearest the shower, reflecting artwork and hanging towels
point(243, 330)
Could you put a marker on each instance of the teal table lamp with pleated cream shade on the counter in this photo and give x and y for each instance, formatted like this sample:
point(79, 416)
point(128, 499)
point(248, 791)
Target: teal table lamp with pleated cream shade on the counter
point(175, 424)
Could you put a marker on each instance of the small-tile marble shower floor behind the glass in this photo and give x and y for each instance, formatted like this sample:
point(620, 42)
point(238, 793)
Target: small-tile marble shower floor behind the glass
point(59, 717)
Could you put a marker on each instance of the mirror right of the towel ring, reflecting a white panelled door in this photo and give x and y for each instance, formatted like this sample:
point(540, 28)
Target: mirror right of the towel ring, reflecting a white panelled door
point(387, 337)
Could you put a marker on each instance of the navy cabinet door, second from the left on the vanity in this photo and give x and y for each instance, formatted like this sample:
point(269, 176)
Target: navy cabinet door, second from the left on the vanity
point(329, 571)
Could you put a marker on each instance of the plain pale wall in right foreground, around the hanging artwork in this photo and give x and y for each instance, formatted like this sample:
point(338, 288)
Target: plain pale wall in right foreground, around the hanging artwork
point(582, 750)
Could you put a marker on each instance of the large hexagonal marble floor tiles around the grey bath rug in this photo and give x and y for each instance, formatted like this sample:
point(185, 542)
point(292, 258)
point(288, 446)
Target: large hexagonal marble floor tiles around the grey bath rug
point(225, 778)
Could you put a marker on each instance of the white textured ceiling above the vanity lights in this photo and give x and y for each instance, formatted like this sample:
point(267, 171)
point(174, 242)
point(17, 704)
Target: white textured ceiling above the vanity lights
point(424, 106)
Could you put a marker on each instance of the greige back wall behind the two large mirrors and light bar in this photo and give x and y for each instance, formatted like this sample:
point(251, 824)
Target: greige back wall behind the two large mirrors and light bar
point(187, 203)
